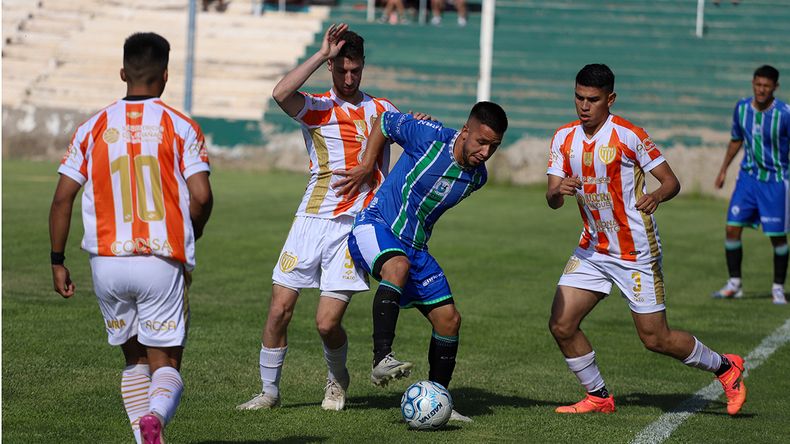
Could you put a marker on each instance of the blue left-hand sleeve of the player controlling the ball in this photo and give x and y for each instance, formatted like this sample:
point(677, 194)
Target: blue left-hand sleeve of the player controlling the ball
point(414, 136)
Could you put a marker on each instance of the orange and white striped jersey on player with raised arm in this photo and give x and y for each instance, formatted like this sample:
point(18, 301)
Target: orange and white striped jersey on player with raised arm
point(336, 135)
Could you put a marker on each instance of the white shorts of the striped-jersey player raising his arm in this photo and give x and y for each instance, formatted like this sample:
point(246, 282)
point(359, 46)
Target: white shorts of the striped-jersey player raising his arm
point(315, 255)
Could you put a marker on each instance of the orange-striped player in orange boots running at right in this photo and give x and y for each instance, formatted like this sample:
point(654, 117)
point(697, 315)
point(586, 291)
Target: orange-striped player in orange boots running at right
point(601, 160)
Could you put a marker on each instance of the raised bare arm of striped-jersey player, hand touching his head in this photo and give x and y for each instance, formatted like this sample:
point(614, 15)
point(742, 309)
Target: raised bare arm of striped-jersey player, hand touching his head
point(286, 93)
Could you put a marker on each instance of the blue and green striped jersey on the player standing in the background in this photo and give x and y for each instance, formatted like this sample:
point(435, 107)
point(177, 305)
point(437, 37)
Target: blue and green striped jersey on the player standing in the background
point(766, 139)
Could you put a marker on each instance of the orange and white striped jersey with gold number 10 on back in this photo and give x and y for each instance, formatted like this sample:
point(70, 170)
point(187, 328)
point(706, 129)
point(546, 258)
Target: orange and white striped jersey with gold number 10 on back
point(133, 159)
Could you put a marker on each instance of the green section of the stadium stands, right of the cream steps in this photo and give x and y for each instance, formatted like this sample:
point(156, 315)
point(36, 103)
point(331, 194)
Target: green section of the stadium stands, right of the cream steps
point(668, 80)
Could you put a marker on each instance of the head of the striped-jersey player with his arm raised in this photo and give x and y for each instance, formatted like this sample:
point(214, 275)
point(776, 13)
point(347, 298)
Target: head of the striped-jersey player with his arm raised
point(346, 67)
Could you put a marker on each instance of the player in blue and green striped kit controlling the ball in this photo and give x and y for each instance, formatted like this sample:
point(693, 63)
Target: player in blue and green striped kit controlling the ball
point(439, 168)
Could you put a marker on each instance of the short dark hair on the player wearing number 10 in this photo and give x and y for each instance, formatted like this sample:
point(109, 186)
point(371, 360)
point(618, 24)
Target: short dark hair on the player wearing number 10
point(145, 57)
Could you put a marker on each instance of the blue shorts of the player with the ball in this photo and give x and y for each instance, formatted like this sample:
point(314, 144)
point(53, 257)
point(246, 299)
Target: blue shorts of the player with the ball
point(372, 243)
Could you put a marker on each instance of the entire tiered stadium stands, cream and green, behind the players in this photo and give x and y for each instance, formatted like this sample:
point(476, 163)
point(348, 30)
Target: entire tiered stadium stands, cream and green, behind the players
point(65, 55)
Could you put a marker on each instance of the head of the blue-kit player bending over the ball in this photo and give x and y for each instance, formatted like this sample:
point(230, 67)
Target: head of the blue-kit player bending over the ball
point(482, 133)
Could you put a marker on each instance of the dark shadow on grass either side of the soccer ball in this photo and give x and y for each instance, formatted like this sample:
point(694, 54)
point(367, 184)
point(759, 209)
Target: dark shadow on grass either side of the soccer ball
point(470, 401)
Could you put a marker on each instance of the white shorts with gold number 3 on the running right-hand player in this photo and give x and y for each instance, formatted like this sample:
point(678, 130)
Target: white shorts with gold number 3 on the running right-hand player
point(641, 284)
